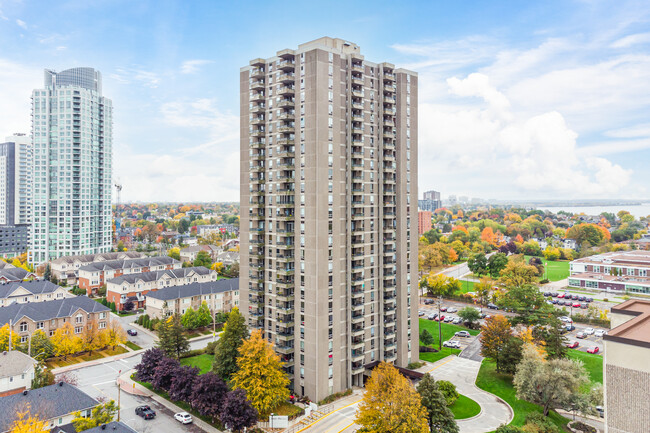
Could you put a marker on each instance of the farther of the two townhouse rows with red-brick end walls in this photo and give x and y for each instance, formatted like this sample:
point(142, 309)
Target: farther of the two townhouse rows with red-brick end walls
point(94, 275)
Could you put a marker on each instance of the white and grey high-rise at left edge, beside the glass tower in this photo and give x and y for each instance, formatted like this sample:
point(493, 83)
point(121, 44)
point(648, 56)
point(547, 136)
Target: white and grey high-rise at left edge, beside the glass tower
point(16, 160)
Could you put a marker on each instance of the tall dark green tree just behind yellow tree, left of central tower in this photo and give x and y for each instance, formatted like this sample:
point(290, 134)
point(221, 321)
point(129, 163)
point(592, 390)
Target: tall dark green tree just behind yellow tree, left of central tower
point(227, 348)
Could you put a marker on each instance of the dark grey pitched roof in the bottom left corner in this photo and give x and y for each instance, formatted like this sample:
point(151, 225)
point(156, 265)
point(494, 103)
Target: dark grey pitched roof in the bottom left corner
point(49, 402)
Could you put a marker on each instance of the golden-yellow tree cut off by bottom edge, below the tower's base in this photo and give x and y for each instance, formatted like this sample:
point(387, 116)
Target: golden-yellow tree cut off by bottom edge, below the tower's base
point(390, 404)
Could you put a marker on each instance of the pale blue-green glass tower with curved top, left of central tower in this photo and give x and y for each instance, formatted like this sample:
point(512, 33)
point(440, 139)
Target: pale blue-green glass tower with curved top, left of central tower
point(72, 132)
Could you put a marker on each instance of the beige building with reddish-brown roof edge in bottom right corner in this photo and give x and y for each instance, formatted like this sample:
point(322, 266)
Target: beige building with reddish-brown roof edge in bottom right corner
point(627, 370)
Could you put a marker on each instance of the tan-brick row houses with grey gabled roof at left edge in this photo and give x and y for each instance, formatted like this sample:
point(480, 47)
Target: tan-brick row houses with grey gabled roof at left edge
point(48, 316)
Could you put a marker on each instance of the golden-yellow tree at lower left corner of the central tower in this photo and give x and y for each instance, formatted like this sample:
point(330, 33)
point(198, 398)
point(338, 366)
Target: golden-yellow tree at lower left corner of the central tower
point(260, 374)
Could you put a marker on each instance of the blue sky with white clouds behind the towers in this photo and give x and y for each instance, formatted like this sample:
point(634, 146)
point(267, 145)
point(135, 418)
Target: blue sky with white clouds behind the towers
point(518, 99)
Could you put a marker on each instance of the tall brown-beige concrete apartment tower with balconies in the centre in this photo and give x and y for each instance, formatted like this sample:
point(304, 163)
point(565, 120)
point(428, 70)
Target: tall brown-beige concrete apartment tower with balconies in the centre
point(328, 208)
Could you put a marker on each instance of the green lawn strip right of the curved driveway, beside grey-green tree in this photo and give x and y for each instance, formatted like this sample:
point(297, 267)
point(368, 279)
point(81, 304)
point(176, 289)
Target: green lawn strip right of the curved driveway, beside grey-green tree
point(501, 385)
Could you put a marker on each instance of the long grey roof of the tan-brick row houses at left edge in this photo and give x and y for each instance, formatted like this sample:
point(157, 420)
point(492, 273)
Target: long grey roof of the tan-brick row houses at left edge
point(47, 310)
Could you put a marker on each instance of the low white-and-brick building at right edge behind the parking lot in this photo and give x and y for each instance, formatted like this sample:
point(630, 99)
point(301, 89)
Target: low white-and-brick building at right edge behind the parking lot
point(621, 271)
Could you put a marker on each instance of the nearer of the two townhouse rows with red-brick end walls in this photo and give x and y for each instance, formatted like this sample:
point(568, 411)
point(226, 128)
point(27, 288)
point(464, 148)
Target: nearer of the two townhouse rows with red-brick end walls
point(134, 287)
